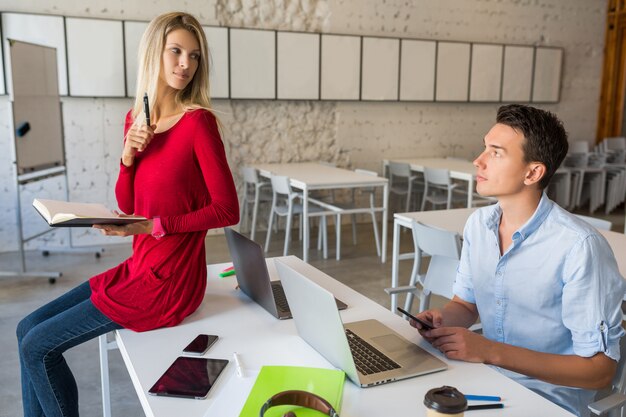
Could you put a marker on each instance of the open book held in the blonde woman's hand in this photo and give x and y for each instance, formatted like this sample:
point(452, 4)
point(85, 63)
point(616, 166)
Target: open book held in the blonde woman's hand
point(64, 213)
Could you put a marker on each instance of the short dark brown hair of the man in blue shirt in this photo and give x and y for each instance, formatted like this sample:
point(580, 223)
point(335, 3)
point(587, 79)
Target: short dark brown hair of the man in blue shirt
point(546, 139)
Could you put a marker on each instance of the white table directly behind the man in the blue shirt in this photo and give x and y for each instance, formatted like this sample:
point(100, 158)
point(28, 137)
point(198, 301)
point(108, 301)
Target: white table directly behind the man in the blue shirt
point(454, 220)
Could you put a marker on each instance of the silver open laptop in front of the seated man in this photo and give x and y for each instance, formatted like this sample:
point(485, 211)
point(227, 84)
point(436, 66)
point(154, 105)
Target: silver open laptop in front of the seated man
point(369, 352)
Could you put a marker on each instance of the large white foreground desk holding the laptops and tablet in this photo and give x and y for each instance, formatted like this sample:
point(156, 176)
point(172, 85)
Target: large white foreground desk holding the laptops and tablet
point(260, 339)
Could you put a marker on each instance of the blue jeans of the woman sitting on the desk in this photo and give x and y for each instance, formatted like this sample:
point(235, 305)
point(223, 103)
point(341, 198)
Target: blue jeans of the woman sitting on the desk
point(48, 386)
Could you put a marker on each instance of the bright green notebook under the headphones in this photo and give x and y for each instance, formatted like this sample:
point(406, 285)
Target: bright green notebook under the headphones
point(327, 383)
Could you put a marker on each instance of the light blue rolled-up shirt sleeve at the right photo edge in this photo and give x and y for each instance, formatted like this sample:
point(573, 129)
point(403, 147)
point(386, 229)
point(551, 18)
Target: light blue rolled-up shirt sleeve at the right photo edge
point(592, 294)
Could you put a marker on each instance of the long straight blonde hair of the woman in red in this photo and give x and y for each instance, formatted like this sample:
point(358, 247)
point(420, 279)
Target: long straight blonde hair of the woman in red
point(196, 94)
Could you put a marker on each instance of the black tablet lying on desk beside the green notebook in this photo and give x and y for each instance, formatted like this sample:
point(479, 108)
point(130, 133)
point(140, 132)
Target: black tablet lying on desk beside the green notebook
point(189, 377)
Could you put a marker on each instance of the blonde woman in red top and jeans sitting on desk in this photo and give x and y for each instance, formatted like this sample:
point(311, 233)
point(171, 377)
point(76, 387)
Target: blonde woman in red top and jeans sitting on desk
point(173, 172)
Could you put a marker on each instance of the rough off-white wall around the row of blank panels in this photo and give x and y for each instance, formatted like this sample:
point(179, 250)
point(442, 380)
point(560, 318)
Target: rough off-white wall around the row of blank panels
point(350, 134)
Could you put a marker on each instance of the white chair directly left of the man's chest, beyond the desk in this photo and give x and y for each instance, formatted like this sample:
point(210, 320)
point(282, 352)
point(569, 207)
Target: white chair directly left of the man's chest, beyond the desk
point(444, 247)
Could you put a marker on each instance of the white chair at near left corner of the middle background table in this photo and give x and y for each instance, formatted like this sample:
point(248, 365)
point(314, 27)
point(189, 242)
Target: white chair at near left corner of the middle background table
point(283, 205)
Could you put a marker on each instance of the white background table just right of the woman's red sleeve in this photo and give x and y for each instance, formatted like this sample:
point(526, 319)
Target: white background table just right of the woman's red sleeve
point(307, 176)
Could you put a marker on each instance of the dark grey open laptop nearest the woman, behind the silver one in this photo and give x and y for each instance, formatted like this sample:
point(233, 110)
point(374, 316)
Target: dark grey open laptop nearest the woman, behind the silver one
point(253, 277)
